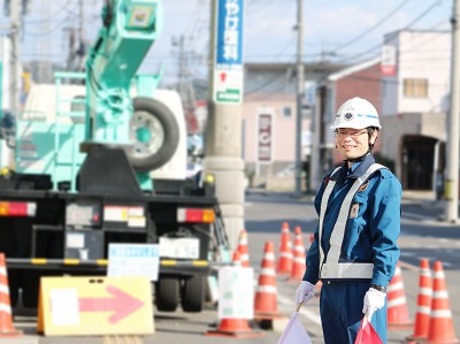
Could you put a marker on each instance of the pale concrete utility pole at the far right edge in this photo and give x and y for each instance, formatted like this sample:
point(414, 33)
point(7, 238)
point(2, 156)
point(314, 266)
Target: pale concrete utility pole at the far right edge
point(451, 183)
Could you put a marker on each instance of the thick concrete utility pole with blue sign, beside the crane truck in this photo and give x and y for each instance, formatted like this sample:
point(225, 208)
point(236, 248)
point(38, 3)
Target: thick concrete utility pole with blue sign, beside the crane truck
point(224, 127)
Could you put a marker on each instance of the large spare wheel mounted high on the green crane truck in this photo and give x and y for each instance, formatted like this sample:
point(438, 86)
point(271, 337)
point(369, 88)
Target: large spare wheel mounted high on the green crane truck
point(154, 132)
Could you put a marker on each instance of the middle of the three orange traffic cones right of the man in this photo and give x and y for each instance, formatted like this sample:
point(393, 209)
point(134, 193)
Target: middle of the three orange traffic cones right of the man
point(425, 291)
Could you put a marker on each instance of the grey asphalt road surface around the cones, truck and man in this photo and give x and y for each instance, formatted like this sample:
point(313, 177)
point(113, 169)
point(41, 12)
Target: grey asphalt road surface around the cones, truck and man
point(422, 236)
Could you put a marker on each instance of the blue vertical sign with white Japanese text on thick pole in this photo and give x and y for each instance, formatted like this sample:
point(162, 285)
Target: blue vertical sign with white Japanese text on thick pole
point(229, 37)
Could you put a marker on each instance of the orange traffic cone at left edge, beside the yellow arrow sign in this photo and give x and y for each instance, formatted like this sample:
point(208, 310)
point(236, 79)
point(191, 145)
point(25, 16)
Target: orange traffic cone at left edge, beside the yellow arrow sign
point(6, 320)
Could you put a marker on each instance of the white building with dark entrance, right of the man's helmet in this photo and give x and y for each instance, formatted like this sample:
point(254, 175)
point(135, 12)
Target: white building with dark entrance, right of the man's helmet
point(415, 101)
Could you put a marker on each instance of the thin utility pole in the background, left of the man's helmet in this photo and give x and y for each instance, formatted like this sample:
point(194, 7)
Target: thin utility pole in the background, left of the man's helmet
point(300, 90)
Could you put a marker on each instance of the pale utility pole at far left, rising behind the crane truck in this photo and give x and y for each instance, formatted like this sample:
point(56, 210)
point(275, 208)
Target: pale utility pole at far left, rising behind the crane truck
point(15, 69)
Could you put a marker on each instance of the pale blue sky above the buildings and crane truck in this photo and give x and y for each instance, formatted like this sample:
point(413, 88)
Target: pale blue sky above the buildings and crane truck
point(344, 31)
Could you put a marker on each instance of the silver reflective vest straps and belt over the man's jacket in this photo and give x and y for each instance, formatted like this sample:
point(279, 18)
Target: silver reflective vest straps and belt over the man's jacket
point(332, 268)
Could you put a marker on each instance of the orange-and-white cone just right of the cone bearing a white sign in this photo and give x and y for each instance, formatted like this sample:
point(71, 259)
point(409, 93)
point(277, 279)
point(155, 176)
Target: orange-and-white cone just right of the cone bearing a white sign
point(265, 301)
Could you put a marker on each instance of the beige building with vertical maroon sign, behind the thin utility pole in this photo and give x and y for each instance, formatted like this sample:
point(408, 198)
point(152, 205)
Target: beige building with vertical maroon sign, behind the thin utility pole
point(269, 121)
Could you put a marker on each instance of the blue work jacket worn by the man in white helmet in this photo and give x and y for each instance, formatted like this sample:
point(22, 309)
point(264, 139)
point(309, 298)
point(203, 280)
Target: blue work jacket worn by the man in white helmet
point(373, 223)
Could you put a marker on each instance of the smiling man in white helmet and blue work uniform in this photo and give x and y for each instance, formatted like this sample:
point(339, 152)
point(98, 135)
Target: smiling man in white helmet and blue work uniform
point(355, 251)
